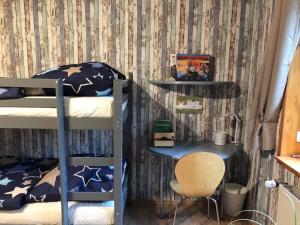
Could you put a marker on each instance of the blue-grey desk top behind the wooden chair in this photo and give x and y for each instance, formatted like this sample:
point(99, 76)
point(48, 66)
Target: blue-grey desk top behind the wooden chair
point(180, 150)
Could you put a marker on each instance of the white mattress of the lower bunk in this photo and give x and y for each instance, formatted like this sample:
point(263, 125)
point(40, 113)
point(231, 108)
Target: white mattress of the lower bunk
point(83, 213)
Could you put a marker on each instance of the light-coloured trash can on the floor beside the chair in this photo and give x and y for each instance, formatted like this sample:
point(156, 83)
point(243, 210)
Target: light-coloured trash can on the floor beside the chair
point(234, 198)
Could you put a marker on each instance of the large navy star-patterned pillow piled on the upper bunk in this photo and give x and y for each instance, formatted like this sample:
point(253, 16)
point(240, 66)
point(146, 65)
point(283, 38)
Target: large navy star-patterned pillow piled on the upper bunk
point(84, 79)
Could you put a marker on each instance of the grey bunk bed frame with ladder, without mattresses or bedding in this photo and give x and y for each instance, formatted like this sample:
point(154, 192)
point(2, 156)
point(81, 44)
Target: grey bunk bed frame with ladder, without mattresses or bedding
point(62, 124)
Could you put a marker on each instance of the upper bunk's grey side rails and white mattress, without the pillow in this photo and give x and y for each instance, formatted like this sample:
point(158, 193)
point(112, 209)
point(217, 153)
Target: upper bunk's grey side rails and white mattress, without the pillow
point(43, 112)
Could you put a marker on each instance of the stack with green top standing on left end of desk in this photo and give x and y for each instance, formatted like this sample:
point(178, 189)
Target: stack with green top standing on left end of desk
point(163, 134)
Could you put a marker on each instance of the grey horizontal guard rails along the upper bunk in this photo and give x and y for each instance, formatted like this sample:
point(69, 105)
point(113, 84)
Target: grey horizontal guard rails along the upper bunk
point(42, 102)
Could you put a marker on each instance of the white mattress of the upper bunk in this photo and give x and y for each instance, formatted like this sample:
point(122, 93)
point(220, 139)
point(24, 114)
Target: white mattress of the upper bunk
point(74, 107)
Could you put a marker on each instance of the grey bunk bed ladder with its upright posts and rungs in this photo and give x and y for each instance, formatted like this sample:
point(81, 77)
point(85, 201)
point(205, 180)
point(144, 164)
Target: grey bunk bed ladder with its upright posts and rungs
point(117, 195)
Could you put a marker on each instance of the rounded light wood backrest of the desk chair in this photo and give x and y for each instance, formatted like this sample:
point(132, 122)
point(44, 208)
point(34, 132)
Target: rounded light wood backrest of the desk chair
point(199, 173)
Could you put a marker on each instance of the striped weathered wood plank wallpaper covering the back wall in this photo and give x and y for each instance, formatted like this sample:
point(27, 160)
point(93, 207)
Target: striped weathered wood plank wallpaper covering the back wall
point(137, 36)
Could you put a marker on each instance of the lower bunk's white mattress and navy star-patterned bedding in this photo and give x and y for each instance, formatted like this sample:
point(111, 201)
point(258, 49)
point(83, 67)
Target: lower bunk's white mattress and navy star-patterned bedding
point(30, 193)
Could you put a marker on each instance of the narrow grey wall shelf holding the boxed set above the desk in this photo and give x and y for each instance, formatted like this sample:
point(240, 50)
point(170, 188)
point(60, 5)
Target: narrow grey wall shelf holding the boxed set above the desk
point(195, 83)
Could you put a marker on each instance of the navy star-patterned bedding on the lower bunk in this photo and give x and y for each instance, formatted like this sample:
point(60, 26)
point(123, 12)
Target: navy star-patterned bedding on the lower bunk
point(38, 181)
